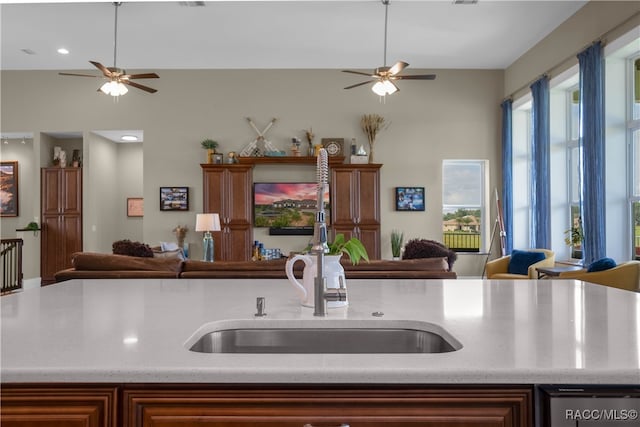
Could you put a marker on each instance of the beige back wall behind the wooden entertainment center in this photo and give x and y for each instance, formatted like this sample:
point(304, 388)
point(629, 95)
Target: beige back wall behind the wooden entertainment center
point(455, 116)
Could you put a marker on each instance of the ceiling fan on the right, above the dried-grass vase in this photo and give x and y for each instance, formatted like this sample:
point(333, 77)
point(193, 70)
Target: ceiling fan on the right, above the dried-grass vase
point(385, 76)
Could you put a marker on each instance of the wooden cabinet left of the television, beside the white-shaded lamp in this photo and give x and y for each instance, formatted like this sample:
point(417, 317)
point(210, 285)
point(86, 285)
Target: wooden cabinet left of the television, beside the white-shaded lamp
point(227, 191)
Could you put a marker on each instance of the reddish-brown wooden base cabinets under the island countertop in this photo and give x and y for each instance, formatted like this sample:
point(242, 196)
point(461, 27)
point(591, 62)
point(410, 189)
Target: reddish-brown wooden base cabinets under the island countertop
point(201, 405)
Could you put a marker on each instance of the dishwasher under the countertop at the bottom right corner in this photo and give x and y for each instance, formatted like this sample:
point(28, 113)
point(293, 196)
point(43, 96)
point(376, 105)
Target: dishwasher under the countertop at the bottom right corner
point(588, 406)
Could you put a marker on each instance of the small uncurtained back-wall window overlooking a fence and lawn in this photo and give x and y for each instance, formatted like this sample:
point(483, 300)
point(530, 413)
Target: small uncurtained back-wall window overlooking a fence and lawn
point(464, 217)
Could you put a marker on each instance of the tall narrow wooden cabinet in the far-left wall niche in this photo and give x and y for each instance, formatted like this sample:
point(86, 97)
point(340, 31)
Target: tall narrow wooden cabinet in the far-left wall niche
point(61, 204)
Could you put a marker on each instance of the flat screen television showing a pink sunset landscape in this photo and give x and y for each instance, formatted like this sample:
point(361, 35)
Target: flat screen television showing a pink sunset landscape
point(287, 207)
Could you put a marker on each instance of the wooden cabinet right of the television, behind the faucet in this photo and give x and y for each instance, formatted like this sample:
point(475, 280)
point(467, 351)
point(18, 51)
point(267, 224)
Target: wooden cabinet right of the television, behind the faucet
point(355, 204)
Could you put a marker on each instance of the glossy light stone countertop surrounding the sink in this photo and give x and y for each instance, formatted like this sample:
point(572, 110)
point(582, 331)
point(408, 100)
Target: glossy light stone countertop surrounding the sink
point(134, 331)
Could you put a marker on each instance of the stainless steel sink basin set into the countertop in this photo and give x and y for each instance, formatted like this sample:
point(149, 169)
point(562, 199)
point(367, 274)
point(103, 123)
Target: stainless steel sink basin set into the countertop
point(315, 337)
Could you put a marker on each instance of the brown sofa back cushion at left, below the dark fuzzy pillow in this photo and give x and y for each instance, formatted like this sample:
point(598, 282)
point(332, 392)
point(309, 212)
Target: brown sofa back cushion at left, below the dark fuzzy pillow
point(108, 262)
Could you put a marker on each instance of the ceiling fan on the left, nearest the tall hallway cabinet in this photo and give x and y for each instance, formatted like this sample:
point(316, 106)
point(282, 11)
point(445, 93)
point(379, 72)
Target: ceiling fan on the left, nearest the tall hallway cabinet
point(118, 79)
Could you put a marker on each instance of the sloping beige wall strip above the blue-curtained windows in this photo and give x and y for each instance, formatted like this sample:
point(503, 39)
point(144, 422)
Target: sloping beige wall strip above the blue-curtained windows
point(557, 52)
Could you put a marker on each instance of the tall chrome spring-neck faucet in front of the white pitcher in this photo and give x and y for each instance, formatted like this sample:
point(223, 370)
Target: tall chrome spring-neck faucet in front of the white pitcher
point(320, 292)
